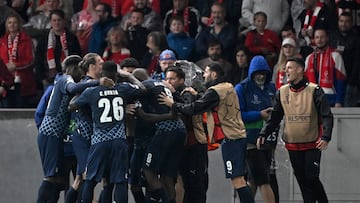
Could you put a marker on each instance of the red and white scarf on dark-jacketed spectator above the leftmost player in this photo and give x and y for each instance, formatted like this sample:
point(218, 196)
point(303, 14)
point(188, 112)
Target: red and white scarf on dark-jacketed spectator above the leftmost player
point(51, 48)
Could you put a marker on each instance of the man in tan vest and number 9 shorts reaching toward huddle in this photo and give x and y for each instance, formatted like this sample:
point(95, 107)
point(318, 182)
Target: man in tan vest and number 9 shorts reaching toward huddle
point(221, 95)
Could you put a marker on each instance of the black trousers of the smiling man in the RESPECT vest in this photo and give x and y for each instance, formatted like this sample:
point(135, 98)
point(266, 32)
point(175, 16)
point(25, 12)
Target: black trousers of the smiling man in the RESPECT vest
point(306, 165)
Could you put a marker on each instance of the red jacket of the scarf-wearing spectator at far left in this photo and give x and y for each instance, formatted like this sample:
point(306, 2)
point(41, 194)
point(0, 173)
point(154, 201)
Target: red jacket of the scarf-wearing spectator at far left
point(24, 62)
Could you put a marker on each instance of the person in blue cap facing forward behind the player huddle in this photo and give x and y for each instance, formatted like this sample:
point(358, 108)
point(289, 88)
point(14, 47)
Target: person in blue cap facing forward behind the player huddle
point(166, 58)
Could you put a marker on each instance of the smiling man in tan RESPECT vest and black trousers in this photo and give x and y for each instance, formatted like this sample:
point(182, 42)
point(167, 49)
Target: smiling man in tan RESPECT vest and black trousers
point(308, 127)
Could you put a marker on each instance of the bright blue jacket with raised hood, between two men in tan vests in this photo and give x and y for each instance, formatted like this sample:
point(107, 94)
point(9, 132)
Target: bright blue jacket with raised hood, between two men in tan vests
point(253, 99)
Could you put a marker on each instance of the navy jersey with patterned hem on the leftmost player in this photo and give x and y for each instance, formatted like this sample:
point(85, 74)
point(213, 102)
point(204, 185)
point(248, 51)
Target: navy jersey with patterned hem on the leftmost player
point(57, 117)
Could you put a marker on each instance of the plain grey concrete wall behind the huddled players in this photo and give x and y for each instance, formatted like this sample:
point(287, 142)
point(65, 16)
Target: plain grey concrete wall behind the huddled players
point(21, 171)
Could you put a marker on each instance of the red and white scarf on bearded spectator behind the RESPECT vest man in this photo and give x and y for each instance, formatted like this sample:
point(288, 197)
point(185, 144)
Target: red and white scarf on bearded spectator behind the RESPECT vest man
point(323, 70)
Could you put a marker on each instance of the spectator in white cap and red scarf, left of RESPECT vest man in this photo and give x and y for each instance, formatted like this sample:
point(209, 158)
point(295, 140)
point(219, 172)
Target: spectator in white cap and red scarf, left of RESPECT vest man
point(288, 50)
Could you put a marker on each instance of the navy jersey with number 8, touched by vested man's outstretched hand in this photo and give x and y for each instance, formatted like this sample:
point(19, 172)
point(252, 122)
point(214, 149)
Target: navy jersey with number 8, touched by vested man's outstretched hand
point(153, 89)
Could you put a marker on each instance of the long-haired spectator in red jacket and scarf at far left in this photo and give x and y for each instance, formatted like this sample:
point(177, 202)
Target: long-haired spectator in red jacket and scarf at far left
point(17, 52)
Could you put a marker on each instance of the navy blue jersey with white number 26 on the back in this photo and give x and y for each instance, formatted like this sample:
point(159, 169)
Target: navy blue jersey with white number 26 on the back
point(108, 109)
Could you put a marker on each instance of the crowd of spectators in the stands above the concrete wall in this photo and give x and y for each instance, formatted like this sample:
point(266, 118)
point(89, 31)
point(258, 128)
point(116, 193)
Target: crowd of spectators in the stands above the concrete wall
point(200, 31)
